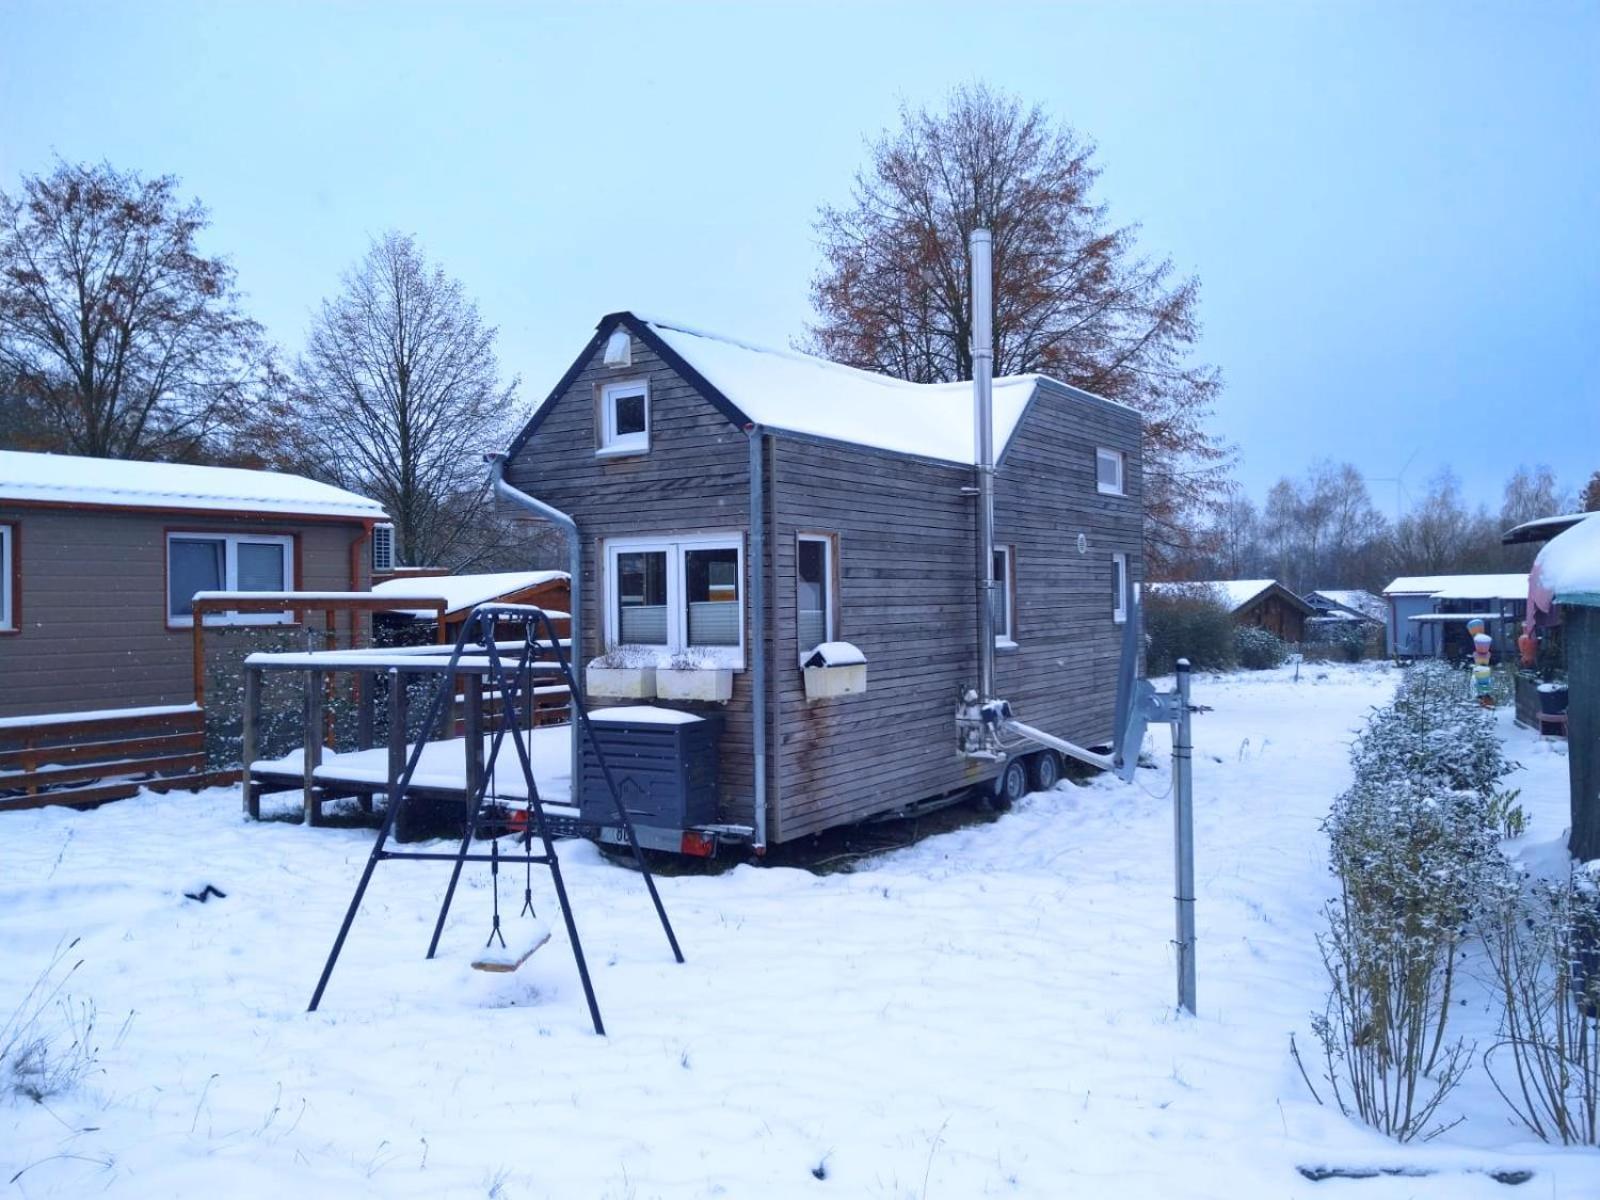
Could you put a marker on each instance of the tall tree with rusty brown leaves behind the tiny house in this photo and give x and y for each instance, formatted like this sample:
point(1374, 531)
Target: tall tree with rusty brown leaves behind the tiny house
point(1074, 298)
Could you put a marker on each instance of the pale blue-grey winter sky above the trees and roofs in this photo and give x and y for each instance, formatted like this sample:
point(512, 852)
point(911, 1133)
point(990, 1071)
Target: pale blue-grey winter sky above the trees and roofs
point(1394, 210)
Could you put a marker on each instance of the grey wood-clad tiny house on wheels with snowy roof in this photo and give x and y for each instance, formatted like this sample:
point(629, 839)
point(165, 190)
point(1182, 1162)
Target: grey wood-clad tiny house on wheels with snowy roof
point(772, 521)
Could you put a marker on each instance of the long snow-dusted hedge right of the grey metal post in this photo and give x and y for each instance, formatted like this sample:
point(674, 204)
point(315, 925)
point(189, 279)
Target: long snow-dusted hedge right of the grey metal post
point(1415, 844)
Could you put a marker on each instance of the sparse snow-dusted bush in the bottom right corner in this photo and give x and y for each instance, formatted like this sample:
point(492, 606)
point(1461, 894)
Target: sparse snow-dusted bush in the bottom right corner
point(1543, 945)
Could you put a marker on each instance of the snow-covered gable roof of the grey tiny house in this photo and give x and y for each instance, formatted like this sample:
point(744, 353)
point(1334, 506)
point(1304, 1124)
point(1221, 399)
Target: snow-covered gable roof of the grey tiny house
point(796, 393)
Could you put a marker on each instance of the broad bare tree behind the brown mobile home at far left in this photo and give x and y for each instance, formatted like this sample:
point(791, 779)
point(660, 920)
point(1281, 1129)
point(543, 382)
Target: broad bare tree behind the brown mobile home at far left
point(119, 337)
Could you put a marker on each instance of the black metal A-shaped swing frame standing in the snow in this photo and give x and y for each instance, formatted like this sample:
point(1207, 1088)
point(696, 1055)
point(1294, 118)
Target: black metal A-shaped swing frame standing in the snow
point(510, 679)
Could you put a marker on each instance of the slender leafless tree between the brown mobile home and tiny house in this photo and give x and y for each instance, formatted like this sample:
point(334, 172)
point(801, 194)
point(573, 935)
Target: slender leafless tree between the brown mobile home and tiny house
point(401, 388)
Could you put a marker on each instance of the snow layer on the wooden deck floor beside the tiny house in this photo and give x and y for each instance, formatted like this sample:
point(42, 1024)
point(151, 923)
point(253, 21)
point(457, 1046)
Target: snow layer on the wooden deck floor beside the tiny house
point(444, 764)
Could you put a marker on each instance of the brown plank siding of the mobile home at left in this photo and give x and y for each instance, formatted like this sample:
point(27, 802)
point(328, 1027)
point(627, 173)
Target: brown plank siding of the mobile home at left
point(94, 585)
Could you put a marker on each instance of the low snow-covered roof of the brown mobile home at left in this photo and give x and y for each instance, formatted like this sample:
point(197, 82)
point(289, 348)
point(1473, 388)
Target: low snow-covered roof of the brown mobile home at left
point(97, 482)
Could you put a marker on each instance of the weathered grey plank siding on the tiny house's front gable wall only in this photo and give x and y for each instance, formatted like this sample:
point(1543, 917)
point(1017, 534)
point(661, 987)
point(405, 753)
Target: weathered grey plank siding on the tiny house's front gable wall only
point(697, 478)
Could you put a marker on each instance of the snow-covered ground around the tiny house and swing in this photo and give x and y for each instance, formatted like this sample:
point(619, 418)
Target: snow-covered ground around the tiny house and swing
point(983, 1015)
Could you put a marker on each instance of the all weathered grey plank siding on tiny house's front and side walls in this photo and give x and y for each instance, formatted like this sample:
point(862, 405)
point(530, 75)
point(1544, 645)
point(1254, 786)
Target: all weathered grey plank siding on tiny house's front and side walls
point(906, 562)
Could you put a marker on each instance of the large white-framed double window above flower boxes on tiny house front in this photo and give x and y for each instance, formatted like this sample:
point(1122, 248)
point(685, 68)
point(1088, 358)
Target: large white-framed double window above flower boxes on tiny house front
point(679, 596)
